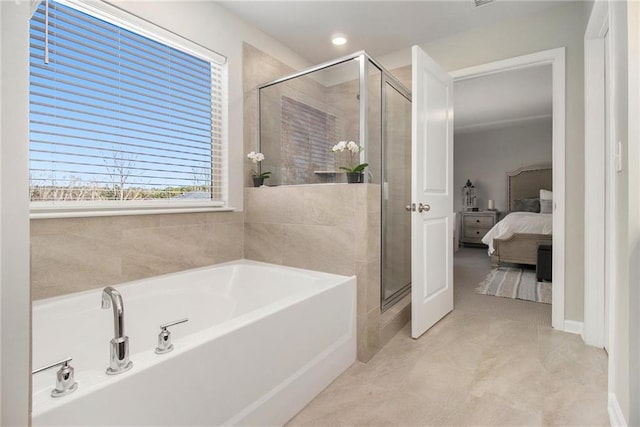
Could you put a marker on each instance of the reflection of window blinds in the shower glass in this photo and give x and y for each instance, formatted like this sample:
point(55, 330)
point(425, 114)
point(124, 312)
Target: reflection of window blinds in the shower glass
point(307, 137)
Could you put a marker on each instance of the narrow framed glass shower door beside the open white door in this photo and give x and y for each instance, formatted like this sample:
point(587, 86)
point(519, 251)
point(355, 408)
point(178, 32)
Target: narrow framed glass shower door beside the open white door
point(396, 194)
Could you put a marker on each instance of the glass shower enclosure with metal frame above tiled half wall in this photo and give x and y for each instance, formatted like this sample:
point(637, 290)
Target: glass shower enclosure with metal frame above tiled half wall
point(353, 98)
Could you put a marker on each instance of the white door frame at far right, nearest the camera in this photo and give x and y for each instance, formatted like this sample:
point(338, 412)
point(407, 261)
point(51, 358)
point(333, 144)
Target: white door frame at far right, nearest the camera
point(597, 183)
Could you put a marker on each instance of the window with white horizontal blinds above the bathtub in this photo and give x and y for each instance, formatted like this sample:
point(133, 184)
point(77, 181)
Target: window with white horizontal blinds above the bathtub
point(115, 115)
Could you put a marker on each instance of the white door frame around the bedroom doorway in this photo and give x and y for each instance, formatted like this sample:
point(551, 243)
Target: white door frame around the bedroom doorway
point(555, 58)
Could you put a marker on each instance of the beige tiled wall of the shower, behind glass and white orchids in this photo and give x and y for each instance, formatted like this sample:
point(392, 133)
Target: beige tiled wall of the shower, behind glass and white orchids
point(290, 162)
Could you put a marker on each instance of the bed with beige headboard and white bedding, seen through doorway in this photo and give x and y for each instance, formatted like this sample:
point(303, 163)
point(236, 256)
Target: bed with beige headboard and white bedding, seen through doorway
point(515, 238)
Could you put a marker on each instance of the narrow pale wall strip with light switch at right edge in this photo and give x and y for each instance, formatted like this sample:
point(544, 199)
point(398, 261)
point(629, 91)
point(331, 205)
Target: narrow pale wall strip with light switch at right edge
point(623, 30)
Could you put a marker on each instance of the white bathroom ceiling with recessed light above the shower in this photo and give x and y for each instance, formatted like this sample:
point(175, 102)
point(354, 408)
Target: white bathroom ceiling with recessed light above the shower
point(379, 27)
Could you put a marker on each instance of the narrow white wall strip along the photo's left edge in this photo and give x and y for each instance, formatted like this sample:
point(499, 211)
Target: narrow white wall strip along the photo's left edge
point(15, 307)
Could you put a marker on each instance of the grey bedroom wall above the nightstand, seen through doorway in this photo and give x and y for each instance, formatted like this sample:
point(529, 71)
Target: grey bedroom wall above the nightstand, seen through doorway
point(485, 156)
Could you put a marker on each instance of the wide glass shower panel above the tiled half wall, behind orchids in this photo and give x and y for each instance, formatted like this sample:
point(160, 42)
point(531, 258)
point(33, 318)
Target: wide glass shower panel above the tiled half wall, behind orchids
point(302, 118)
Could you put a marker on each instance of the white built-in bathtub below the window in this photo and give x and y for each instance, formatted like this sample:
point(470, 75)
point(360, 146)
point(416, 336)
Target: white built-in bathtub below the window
point(261, 341)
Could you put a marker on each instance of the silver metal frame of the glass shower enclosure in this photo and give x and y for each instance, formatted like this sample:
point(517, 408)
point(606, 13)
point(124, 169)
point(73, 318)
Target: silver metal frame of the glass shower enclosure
point(386, 77)
